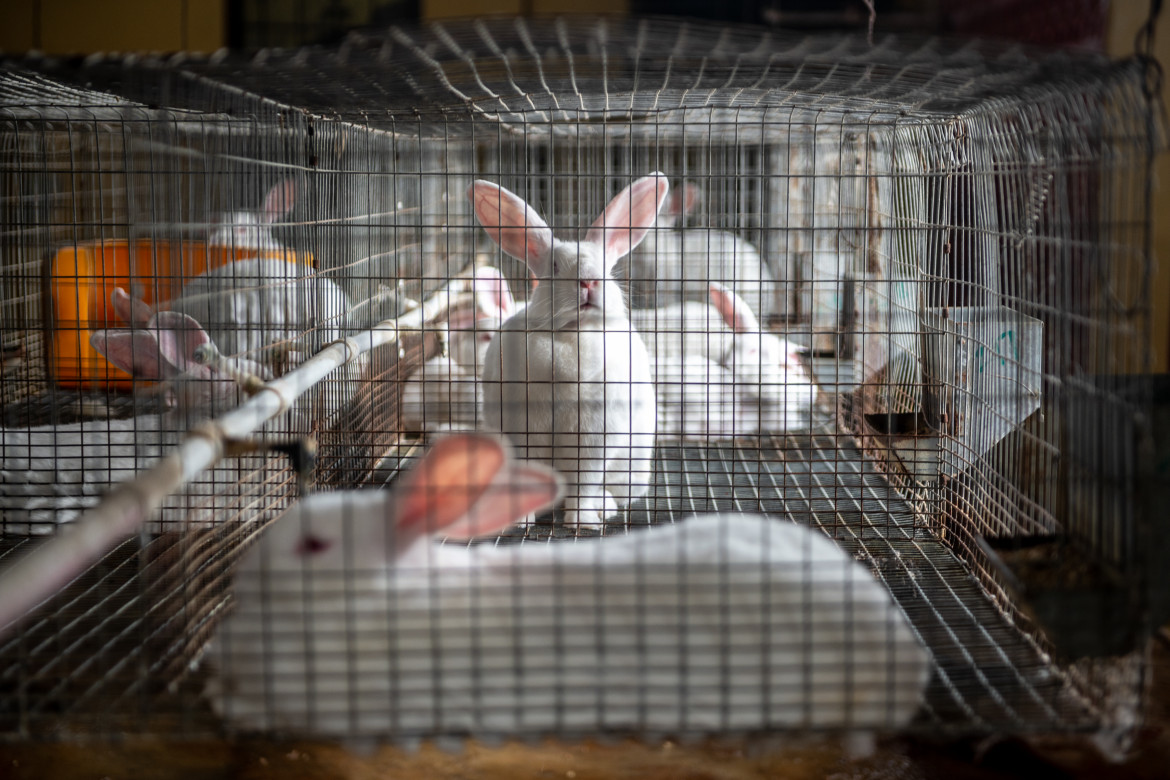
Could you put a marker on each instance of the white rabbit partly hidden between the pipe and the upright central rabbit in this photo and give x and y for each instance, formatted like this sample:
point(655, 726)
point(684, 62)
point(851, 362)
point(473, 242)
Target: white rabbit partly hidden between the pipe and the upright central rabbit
point(446, 392)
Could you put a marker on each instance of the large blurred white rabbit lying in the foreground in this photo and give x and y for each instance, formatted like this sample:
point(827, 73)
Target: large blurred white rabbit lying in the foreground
point(353, 622)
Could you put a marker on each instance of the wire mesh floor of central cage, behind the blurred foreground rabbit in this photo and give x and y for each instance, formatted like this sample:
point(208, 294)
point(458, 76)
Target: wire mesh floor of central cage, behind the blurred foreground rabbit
point(988, 678)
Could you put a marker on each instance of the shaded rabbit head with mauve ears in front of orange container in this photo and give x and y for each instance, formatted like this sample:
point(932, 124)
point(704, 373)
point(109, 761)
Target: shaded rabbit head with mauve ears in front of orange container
point(163, 347)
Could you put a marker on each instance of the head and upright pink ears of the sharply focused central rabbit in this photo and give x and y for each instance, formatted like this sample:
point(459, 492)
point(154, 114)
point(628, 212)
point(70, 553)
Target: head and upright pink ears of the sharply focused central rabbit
point(576, 286)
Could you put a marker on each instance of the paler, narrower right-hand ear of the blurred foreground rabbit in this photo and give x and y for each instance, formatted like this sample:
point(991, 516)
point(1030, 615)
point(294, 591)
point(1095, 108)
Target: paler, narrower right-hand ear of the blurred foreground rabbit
point(520, 489)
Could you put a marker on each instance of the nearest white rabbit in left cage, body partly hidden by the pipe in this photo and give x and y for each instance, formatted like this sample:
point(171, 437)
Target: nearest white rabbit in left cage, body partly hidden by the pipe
point(51, 474)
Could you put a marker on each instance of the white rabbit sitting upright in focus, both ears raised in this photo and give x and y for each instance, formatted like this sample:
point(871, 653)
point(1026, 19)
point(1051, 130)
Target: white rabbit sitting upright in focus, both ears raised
point(568, 379)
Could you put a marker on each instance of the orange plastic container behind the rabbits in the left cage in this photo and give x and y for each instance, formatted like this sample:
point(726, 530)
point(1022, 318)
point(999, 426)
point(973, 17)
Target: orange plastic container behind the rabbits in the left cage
point(82, 277)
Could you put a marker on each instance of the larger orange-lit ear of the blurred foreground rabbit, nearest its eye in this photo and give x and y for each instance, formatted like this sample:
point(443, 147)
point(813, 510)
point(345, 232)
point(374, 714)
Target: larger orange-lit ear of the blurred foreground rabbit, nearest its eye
point(445, 485)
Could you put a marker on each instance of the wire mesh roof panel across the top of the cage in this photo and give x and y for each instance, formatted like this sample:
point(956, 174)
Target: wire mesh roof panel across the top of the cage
point(531, 72)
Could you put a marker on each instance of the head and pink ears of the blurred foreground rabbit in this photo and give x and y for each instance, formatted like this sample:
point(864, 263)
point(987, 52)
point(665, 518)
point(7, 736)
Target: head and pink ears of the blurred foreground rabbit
point(464, 487)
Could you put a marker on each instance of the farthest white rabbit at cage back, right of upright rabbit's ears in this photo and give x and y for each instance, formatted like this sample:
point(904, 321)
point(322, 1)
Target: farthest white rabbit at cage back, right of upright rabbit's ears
point(677, 265)
